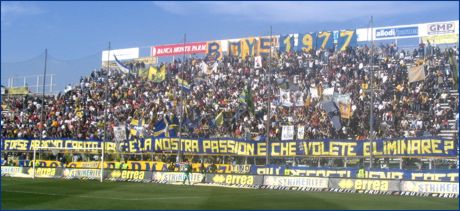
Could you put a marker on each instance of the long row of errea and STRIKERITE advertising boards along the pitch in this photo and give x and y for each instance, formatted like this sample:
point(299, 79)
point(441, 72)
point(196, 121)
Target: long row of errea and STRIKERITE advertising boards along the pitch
point(369, 186)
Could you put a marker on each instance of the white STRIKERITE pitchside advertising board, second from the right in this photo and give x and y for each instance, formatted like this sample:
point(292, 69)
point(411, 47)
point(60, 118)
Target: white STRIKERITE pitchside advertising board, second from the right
point(304, 182)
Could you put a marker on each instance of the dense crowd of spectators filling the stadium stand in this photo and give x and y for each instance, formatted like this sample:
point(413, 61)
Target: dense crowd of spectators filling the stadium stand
point(108, 98)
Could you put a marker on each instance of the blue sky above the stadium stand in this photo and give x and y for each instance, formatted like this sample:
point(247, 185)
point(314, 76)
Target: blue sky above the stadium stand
point(74, 30)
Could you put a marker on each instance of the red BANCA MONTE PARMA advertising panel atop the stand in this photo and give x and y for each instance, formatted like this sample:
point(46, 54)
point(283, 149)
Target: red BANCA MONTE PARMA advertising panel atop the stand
point(178, 49)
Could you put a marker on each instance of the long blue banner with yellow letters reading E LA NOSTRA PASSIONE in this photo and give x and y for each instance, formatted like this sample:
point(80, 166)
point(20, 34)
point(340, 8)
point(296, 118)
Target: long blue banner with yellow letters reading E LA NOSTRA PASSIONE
point(403, 147)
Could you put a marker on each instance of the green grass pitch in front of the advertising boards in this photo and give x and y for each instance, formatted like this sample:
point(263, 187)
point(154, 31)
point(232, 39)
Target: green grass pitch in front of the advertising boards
point(24, 193)
